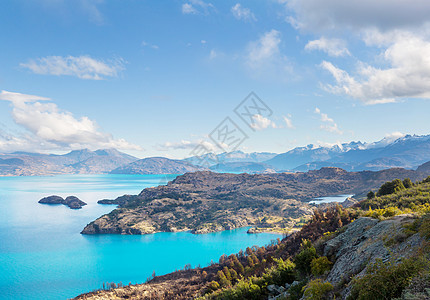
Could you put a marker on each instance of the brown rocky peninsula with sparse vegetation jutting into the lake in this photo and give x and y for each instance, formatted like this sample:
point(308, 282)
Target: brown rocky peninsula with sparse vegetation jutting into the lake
point(206, 201)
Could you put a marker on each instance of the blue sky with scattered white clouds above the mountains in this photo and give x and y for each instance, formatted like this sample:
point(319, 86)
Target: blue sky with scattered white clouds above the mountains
point(178, 78)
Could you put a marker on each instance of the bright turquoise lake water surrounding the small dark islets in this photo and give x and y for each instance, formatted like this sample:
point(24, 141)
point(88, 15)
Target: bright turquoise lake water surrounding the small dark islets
point(43, 255)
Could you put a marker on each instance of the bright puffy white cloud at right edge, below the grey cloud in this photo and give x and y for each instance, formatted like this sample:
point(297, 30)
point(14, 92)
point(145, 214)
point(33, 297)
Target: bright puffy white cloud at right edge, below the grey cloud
point(407, 74)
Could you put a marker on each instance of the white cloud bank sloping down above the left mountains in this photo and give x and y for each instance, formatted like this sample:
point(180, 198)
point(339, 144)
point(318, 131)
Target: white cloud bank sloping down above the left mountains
point(50, 127)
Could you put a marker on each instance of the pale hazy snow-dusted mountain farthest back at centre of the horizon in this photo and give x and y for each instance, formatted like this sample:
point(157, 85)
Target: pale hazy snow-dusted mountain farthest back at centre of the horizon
point(228, 157)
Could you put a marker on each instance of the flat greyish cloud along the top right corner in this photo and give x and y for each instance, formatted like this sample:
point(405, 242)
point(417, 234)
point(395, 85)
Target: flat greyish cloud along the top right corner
point(322, 16)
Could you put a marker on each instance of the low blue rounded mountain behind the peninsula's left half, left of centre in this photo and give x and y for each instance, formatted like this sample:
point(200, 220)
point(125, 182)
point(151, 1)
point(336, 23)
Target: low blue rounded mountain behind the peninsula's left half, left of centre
point(157, 165)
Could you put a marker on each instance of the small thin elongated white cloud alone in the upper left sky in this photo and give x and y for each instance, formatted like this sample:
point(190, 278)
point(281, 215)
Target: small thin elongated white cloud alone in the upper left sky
point(83, 67)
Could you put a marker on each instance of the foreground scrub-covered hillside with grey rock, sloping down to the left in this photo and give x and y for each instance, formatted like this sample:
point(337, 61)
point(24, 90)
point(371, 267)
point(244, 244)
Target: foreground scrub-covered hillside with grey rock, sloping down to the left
point(377, 249)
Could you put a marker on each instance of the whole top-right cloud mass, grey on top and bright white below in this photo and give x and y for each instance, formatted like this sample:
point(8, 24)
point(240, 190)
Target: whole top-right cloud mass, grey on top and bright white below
point(397, 32)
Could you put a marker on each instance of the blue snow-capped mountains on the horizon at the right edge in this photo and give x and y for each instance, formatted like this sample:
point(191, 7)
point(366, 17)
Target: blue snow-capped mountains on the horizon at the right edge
point(409, 152)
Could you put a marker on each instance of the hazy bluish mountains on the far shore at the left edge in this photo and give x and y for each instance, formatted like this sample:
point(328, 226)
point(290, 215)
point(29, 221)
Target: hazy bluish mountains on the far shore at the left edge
point(75, 162)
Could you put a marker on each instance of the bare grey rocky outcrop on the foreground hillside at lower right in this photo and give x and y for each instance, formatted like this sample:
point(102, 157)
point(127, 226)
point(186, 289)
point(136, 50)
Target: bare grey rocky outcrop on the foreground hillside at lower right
point(366, 240)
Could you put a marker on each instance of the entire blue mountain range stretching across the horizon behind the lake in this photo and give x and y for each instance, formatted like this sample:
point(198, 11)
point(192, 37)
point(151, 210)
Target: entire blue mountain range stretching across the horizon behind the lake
point(409, 151)
